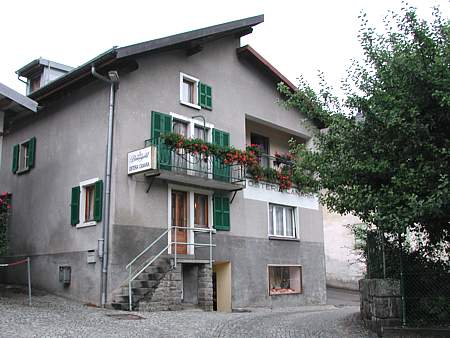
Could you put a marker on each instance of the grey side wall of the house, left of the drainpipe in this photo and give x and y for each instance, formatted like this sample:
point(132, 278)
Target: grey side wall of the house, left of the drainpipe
point(70, 147)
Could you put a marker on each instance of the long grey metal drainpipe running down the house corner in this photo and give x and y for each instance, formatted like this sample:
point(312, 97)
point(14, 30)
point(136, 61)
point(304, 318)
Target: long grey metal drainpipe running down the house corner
point(113, 81)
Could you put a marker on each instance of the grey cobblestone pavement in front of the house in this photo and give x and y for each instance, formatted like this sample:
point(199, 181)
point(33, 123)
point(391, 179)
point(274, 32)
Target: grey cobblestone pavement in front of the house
point(52, 316)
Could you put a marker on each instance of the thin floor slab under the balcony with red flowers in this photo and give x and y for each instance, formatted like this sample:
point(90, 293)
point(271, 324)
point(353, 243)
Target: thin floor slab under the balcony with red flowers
point(197, 181)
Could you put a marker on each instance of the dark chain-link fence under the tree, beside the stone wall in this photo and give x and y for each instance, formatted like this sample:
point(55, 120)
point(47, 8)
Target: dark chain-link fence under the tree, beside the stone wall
point(424, 284)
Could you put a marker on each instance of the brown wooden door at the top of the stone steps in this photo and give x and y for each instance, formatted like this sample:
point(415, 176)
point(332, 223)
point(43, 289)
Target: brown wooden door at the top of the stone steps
point(179, 219)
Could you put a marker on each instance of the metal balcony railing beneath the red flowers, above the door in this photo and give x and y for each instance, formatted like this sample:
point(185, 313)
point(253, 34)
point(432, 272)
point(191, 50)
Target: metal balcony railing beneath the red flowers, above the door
point(179, 162)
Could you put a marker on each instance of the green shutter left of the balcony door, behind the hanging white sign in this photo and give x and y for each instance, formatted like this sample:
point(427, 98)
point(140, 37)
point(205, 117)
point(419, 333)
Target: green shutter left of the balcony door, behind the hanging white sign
point(161, 124)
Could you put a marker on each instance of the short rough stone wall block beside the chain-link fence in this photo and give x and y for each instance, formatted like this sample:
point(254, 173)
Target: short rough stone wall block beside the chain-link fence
point(380, 303)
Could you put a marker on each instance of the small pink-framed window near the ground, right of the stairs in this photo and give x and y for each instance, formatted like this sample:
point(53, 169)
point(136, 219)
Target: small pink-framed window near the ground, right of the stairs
point(284, 280)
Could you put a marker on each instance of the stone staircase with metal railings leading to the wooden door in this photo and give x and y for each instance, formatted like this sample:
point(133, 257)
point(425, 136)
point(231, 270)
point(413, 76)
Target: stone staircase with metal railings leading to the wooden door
point(154, 281)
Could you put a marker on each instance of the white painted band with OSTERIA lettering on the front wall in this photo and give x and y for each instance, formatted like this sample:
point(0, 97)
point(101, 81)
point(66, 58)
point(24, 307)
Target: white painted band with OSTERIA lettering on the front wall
point(269, 192)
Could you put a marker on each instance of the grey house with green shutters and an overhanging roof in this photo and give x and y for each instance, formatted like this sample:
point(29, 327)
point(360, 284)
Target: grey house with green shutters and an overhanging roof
point(268, 245)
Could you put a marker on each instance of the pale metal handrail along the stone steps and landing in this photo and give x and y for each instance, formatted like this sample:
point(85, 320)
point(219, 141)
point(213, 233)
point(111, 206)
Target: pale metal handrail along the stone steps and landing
point(132, 277)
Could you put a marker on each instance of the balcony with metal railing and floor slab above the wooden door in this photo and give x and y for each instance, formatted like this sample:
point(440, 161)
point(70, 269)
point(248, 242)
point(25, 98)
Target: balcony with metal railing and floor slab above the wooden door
point(176, 165)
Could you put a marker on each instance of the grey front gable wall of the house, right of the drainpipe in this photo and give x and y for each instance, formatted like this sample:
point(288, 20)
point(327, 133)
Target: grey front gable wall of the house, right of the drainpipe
point(240, 93)
